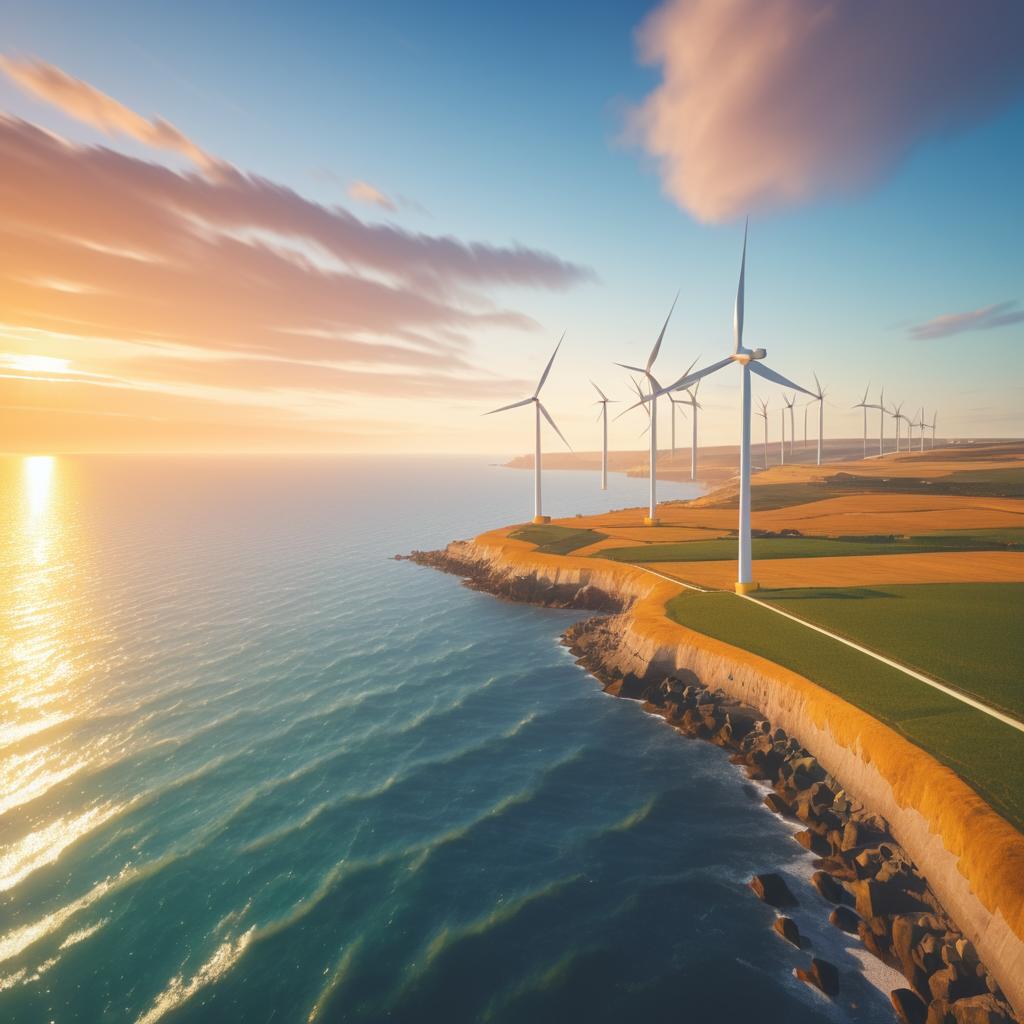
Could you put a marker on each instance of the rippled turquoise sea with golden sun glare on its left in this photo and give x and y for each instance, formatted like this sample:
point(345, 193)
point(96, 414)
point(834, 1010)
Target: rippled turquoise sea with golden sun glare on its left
point(254, 771)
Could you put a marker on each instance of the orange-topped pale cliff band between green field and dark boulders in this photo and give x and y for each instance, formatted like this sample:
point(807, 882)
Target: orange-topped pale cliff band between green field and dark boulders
point(965, 850)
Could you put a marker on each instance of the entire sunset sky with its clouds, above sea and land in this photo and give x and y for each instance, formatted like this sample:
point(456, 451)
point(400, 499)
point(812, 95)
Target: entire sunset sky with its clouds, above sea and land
point(326, 228)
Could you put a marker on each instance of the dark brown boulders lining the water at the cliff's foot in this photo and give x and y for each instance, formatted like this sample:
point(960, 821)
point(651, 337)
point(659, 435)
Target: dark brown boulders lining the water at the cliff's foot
point(869, 885)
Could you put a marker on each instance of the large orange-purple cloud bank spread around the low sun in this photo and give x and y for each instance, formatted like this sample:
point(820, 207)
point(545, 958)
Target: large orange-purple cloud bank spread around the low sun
point(230, 308)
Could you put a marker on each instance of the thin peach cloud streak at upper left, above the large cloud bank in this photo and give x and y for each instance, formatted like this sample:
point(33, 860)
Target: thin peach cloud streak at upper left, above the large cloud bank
point(89, 105)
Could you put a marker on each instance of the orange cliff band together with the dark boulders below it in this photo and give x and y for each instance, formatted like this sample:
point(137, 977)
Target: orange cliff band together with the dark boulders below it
point(893, 792)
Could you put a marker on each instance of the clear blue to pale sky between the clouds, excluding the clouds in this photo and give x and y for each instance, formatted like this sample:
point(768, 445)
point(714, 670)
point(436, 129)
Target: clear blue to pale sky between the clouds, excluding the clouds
point(505, 124)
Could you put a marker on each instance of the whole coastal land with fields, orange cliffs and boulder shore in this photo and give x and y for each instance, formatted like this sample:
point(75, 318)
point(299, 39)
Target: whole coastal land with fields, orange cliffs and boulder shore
point(872, 685)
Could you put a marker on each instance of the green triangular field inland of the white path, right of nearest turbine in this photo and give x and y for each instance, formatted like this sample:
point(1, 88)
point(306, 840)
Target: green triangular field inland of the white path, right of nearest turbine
point(967, 635)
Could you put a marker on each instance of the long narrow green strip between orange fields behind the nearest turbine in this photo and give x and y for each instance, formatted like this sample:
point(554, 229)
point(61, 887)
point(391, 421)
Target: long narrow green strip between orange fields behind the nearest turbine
point(807, 547)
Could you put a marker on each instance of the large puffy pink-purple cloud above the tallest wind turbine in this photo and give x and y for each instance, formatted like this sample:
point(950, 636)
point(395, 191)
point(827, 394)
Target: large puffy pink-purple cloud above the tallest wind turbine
point(770, 104)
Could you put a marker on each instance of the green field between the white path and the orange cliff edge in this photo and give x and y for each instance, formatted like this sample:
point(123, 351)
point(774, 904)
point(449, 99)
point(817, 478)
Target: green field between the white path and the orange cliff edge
point(987, 753)
